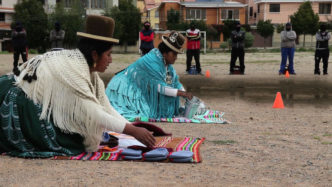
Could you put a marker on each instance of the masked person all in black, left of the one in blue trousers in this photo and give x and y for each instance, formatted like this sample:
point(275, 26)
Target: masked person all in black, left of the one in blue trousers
point(237, 37)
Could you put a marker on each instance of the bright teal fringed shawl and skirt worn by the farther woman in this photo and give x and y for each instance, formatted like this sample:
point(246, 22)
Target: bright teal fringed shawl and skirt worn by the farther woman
point(134, 91)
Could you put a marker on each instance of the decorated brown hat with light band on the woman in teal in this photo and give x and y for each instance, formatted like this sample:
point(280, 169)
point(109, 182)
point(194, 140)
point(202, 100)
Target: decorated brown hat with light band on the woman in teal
point(174, 41)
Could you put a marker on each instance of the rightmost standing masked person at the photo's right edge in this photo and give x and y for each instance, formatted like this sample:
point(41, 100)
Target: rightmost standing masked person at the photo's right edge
point(322, 49)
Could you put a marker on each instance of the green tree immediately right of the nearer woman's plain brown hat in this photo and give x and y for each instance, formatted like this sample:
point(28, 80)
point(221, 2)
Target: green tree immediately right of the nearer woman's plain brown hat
point(127, 22)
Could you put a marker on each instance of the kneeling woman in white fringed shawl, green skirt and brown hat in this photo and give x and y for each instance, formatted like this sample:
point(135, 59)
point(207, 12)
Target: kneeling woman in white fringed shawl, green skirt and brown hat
point(57, 104)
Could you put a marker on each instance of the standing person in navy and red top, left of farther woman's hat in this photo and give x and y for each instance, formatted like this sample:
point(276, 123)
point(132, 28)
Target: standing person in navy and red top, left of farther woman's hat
point(146, 35)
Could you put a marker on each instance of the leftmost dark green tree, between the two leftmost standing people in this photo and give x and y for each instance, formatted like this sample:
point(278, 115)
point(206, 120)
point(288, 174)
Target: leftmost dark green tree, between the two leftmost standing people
point(34, 19)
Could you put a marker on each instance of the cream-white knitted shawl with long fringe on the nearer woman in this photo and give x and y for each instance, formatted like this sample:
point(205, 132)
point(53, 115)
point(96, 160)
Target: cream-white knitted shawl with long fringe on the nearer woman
point(69, 93)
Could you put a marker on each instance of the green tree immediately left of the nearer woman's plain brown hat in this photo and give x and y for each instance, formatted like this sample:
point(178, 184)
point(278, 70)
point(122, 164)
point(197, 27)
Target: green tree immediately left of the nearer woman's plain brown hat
point(71, 20)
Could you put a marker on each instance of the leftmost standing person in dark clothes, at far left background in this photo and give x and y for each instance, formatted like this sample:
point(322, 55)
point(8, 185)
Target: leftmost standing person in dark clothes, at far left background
point(19, 39)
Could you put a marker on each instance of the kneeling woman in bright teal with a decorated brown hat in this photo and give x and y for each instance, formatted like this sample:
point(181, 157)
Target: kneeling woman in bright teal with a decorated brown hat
point(150, 87)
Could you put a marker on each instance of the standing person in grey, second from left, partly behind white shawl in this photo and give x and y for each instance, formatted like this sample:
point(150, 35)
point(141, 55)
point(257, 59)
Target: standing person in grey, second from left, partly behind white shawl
point(57, 35)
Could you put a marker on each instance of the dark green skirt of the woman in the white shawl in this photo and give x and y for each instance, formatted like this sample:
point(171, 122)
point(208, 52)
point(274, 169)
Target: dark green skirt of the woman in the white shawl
point(23, 134)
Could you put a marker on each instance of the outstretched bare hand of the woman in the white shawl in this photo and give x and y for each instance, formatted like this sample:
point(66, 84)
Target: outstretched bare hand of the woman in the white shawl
point(141, 134)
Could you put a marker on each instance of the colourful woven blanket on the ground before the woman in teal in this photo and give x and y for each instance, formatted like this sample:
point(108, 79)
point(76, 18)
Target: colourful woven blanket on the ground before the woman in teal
point(210, 116)
